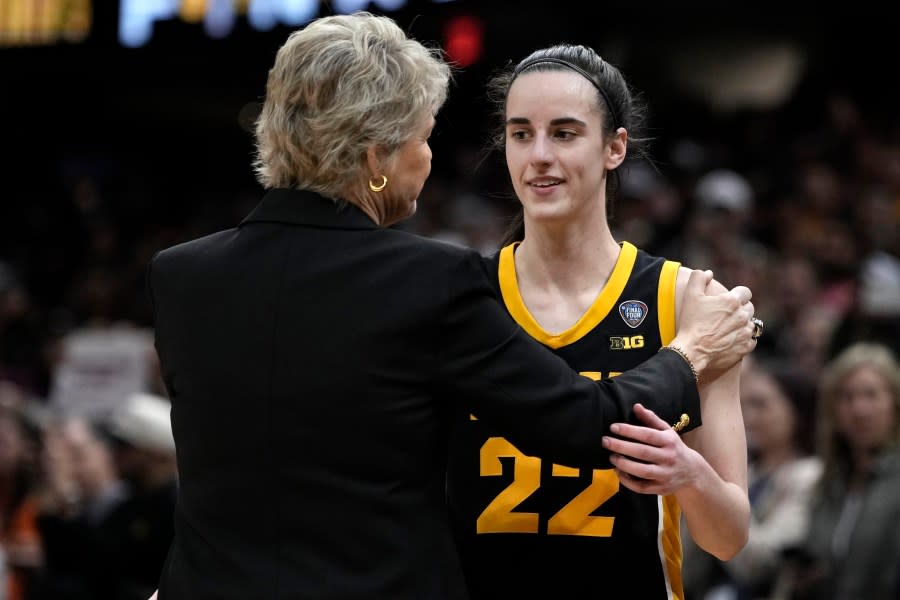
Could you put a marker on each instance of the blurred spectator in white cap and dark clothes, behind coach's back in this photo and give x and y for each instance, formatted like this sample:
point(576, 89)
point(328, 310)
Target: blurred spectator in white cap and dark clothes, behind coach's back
point(107, 503)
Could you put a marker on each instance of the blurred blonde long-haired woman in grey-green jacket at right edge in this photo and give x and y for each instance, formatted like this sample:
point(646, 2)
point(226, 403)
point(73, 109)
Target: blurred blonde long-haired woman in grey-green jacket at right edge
point(852, 548)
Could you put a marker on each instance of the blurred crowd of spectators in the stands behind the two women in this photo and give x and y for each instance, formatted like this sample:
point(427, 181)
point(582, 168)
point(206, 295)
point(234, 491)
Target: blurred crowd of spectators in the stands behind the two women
point(804, 208)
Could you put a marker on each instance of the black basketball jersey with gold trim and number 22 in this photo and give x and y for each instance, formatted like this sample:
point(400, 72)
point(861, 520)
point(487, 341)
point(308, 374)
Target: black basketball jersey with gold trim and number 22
point(529, 528)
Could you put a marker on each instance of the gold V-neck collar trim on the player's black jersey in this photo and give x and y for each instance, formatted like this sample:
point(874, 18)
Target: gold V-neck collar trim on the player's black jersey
point(606, 299)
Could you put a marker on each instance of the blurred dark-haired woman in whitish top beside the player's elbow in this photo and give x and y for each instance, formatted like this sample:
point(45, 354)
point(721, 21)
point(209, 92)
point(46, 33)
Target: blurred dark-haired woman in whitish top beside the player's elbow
point(778, 407)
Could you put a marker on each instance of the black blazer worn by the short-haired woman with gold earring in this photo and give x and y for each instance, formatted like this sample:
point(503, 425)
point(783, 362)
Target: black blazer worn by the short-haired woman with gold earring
point(311, 359)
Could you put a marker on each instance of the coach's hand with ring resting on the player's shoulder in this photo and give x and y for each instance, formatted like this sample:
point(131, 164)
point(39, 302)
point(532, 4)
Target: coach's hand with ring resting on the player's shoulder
point(714, 327)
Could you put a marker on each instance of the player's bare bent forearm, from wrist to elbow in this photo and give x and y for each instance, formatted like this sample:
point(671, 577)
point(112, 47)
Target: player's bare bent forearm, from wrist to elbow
point(717, 514)
